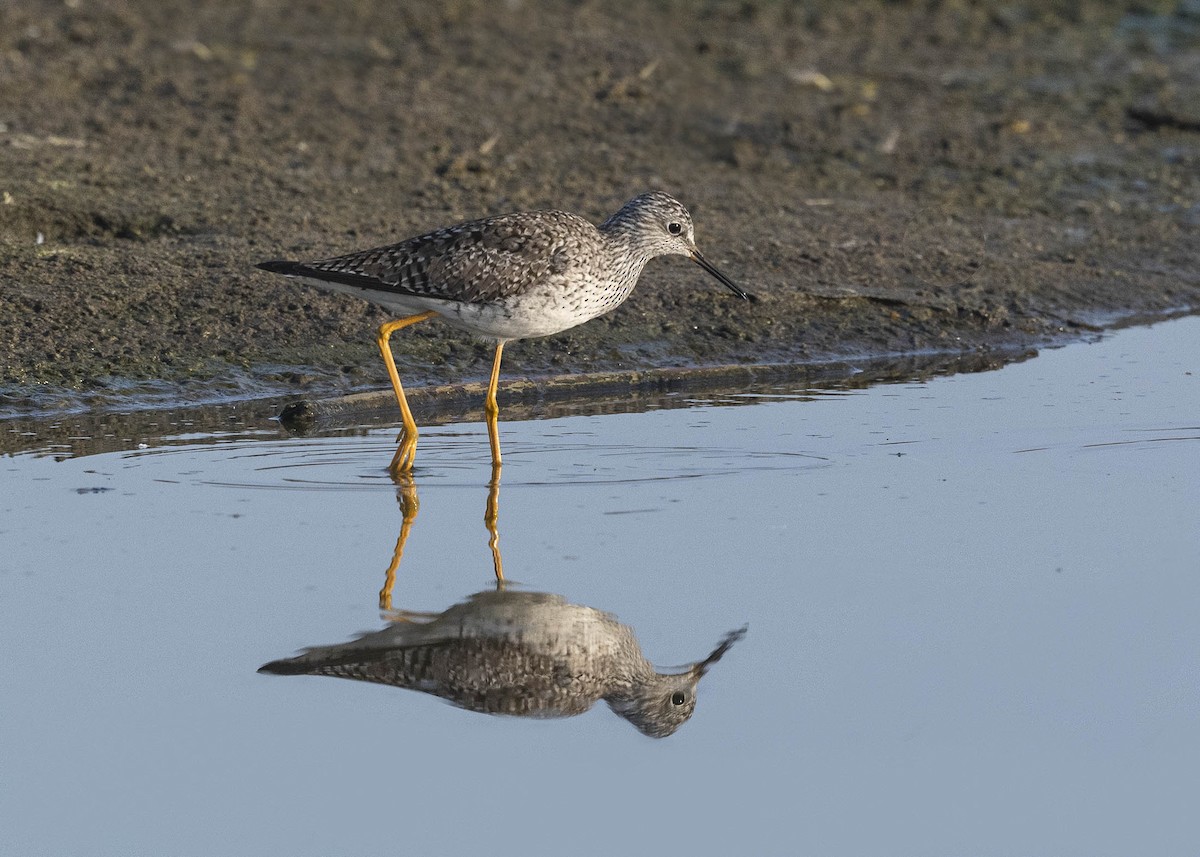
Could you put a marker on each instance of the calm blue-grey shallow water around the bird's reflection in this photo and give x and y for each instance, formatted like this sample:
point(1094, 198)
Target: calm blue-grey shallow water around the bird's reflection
point(971, 603)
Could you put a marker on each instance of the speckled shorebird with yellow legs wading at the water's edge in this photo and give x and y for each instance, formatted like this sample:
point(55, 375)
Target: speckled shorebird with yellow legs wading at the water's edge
point(507, 278)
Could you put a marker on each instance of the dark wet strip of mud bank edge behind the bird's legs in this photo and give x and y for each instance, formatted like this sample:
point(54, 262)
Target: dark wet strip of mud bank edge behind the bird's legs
point(107, 430)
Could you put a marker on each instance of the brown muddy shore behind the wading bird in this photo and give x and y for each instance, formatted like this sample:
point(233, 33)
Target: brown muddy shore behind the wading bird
point(886, 178)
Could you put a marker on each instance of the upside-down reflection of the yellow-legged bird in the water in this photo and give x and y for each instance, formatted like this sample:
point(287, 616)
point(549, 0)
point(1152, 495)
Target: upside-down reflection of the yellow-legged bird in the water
point(512, 652)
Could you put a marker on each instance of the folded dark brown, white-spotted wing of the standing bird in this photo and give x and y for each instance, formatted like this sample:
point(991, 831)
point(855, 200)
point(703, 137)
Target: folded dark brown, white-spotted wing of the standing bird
point(478, 262)
